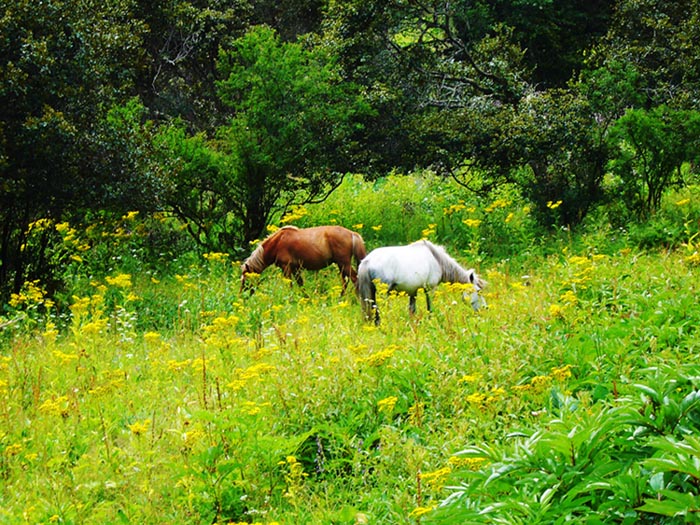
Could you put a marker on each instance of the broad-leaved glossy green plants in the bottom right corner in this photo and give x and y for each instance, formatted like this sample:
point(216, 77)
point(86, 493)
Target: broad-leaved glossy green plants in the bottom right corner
point(631, 460)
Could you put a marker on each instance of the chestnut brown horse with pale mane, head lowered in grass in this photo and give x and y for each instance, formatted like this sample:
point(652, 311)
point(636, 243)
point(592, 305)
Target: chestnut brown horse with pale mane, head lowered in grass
point(294, 249)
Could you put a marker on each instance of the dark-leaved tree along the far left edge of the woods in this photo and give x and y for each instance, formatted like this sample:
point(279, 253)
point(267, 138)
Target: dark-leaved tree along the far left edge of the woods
point(62, 66)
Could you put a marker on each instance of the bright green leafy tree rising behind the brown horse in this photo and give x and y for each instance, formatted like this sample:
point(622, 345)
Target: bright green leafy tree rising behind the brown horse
point(289, 140)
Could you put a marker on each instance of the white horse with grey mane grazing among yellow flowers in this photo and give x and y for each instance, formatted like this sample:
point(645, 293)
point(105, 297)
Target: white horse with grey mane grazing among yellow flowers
point(408, 269)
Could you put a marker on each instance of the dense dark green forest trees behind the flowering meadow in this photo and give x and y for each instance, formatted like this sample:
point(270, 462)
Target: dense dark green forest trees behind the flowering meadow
point(226, 114)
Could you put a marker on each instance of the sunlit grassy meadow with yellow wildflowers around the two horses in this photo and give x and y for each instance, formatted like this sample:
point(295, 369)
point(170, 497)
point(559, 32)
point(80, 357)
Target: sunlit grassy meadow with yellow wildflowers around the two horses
point(170, 397)
